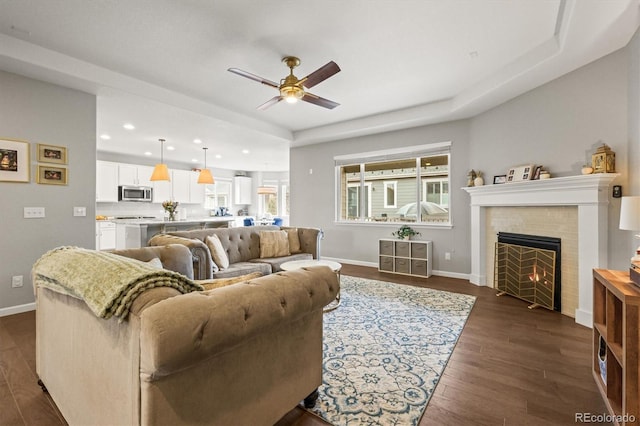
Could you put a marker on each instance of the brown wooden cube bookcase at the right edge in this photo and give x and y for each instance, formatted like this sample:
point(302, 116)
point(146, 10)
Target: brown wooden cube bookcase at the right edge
point(616, 325)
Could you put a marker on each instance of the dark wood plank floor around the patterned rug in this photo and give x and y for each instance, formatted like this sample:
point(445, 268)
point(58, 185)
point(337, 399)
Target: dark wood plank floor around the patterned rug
point(511, 366)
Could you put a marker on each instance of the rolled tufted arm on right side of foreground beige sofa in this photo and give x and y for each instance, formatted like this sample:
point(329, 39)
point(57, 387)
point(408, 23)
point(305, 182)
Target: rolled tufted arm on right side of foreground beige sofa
point(182, 331)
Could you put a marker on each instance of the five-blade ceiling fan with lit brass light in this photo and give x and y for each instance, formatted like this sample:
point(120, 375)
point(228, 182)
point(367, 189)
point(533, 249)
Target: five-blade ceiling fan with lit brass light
point(291, 88)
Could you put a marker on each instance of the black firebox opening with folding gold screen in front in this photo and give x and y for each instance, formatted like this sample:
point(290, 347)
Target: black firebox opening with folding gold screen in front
point(528, 267)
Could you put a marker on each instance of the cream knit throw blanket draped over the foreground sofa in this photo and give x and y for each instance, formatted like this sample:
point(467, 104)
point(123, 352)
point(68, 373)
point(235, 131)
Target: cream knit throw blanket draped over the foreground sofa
point(106, 282)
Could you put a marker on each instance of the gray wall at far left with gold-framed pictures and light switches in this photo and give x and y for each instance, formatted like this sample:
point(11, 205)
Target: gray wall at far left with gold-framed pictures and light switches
point(38, 112)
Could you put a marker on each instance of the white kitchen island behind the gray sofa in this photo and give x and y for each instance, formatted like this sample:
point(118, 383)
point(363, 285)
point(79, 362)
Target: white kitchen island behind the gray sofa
point(134, 233)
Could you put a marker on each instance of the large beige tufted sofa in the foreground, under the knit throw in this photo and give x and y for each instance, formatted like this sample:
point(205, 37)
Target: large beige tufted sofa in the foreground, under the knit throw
point(244, 354)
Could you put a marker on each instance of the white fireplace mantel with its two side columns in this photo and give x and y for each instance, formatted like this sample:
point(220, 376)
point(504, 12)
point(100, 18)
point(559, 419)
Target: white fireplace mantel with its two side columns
point(589, 193)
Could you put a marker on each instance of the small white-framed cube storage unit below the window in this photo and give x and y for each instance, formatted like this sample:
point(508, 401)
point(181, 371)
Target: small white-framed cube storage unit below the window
point(405, 257)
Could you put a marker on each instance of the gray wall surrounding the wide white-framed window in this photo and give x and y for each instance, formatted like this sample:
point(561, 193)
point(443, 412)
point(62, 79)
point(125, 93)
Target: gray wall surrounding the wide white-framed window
point(313, 196)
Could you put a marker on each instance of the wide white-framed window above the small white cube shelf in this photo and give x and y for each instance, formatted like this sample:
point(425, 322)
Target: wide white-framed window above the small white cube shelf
point(388, 186)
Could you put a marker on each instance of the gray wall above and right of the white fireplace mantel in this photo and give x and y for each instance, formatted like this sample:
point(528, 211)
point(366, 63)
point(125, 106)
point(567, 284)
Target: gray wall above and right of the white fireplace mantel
point(559, 125)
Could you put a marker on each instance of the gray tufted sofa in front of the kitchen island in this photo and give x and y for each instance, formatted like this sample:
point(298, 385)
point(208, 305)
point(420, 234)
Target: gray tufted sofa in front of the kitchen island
point(242, 246)
